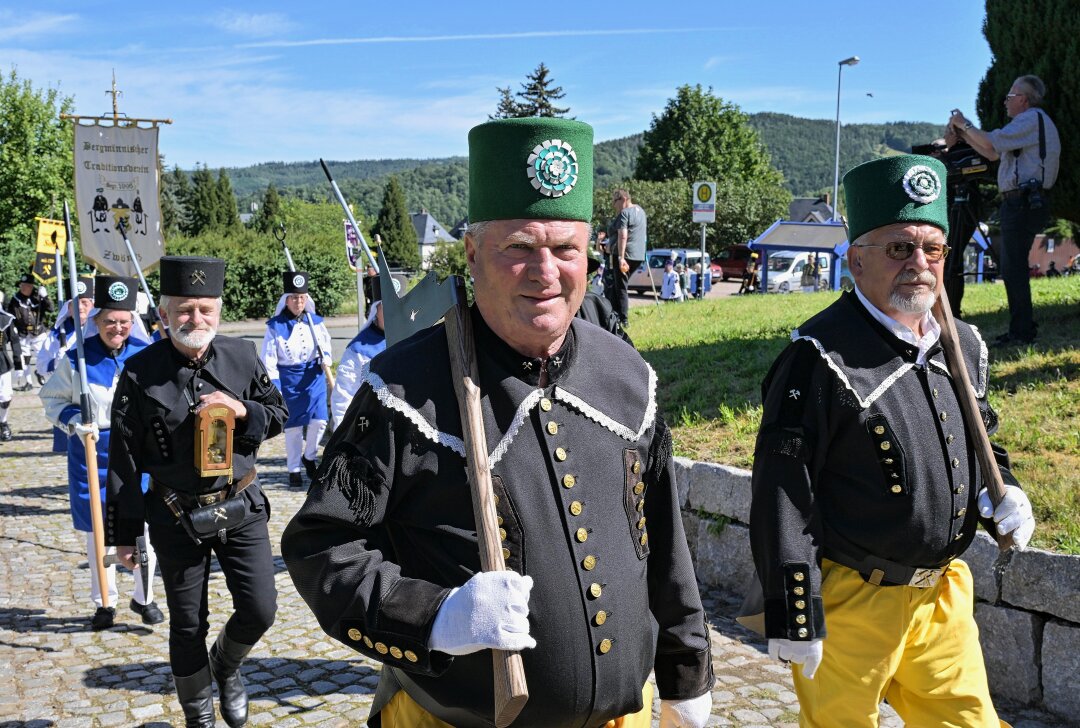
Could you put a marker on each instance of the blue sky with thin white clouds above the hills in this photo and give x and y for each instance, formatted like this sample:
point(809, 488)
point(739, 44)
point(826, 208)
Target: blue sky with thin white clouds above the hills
point(289, 82)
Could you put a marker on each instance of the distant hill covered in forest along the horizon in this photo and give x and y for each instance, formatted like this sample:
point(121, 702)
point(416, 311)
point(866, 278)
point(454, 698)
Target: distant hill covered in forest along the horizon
point(802, 149)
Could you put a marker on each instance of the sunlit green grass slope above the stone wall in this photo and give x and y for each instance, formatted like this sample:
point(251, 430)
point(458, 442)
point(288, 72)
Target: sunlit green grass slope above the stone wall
point(712, 356)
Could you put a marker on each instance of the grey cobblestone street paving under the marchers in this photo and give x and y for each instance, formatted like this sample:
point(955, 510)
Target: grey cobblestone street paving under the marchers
point(58, 672)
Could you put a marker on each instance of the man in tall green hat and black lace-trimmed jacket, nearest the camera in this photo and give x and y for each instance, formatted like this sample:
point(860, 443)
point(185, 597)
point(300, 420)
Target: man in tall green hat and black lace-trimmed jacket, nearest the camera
point(385, 549)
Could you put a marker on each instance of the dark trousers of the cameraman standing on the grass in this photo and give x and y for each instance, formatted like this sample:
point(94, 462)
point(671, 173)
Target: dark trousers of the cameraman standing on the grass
point(1020, 225)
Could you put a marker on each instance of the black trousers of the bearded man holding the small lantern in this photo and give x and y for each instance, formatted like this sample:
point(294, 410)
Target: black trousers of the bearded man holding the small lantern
point(247, 562)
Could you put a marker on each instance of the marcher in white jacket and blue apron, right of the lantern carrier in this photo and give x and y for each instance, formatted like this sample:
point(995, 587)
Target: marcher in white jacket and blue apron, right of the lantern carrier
point(295, 348)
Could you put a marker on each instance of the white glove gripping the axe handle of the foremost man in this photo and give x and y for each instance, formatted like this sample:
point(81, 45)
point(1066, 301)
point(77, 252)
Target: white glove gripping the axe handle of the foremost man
point(489, 612)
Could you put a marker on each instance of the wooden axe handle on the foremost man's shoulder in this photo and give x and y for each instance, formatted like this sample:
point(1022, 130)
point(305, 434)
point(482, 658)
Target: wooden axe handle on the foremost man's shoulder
point(511, 692)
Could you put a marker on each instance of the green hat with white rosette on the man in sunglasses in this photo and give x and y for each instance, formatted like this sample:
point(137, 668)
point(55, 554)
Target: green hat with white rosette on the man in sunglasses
point(909, 188)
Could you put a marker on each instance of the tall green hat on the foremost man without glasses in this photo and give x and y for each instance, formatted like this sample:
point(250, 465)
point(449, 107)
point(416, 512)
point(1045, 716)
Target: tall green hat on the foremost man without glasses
point(531, 169)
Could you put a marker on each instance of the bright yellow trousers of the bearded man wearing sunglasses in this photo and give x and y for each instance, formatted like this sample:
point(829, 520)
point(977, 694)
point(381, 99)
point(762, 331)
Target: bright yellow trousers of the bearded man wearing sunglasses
point(916, 648)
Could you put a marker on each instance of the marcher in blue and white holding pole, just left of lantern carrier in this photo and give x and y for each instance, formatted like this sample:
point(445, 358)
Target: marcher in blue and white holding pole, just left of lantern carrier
point(107, 353)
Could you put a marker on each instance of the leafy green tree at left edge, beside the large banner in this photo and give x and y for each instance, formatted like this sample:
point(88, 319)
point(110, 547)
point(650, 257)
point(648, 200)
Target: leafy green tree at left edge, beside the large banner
point(36, 168)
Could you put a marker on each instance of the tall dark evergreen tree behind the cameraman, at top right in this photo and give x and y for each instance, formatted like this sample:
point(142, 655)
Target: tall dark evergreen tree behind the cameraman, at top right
point(1057, 26)
